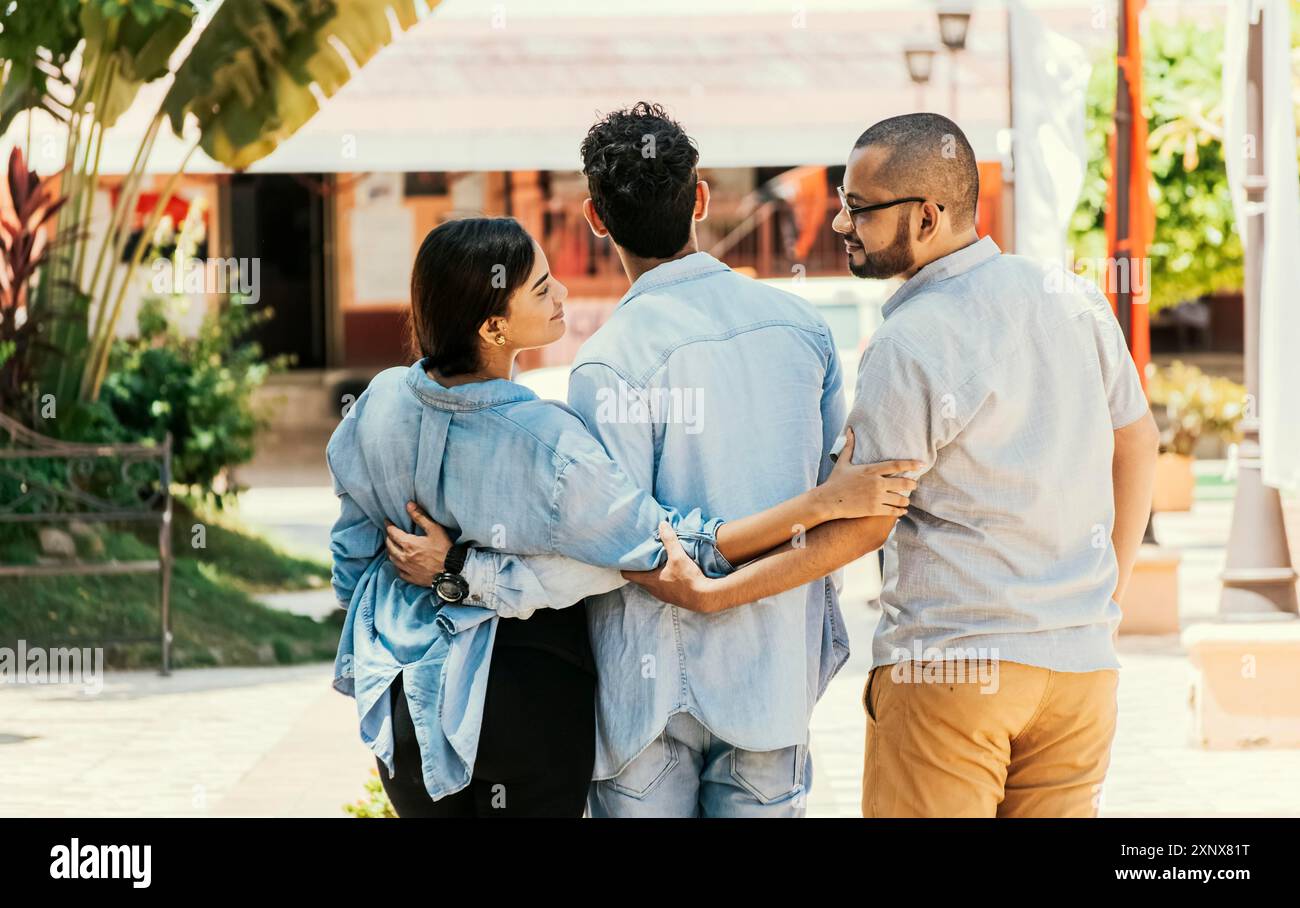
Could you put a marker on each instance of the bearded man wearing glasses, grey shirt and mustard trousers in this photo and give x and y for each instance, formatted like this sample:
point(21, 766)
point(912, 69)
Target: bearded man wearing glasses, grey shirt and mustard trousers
point(994, 678)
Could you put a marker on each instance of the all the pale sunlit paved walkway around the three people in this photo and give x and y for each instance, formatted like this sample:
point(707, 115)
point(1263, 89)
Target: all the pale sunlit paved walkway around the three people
point(280, 742)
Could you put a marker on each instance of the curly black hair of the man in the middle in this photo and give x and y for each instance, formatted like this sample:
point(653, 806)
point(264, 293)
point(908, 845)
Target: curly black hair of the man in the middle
point(640, 171)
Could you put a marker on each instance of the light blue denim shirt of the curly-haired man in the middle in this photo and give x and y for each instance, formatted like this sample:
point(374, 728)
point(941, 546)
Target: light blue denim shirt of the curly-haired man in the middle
point(713, 390)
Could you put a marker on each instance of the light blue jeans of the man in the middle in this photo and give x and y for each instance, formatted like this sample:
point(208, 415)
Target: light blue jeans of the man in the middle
point(688, 772)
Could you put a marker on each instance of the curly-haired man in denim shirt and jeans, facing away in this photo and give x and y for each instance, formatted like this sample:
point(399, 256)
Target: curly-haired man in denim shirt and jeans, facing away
point(709, 388)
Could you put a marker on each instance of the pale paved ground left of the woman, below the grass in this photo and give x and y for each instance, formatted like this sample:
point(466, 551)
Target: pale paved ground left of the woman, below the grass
point(205, 742)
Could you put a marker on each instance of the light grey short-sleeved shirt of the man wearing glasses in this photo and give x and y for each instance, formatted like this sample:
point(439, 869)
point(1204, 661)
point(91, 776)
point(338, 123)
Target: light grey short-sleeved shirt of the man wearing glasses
point(1008, 378)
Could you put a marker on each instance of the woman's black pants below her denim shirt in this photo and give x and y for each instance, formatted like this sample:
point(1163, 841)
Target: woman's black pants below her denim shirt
point(536, 750)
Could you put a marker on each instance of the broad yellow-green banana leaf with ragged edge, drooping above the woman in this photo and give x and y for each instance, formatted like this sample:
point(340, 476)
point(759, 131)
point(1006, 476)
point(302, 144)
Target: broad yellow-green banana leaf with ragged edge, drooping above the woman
point(250, 75)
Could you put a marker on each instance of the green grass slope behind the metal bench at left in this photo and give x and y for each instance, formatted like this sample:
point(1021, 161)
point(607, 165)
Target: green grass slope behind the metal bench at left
point(215, 617)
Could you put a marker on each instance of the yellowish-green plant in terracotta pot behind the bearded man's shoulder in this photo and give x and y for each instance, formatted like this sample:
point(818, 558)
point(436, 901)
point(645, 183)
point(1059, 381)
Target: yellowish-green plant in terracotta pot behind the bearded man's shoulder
point(1197, 407)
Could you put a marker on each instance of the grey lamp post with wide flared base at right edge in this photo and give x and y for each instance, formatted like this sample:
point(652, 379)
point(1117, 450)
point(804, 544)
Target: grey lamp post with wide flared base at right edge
point(1259, 581)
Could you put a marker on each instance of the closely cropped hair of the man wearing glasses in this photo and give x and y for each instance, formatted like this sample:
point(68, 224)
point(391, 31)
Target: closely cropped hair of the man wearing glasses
point(929, 155)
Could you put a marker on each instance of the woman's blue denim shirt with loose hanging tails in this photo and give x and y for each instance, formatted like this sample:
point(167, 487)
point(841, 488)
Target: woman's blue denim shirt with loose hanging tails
point(501, 470)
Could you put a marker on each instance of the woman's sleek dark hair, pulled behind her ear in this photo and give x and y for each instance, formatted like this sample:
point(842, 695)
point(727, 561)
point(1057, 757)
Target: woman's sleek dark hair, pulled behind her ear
point(465, 274)
